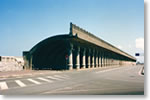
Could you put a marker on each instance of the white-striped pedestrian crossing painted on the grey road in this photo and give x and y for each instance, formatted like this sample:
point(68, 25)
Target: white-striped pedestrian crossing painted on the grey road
point(38, 80)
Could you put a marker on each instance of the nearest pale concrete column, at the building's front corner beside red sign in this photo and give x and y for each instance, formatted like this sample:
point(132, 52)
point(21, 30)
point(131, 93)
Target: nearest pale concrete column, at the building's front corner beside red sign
point(70, 58)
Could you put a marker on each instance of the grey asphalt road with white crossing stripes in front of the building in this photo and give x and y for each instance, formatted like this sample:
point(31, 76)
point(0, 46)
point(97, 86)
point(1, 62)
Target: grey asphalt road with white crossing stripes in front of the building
point(101, 81)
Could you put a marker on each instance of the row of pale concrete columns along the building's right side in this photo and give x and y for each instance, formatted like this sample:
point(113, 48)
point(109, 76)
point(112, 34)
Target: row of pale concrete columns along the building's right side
point(90, 58)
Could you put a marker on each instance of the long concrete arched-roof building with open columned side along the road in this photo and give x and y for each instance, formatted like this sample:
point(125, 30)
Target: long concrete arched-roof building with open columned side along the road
point(76, 50)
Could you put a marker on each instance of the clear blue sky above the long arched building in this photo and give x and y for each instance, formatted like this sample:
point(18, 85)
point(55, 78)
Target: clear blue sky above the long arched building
point(24, 23)
